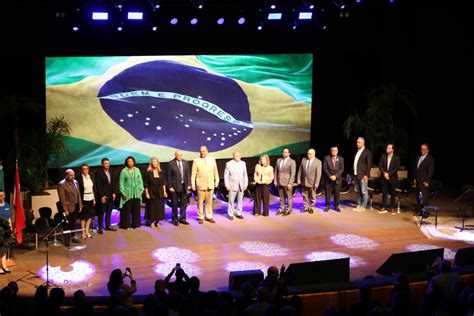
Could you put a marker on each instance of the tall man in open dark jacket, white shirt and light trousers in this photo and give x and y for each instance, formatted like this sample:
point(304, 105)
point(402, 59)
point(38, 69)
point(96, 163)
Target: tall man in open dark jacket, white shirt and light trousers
point(362, 165)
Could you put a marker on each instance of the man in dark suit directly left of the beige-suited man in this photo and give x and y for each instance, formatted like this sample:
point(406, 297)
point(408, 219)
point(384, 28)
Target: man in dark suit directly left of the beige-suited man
point(179, 183)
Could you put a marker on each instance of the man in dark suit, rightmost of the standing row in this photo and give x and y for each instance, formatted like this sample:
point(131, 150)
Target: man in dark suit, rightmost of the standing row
point(424, 170)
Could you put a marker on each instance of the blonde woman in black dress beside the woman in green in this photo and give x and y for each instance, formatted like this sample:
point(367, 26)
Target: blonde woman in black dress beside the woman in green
point(155, 192)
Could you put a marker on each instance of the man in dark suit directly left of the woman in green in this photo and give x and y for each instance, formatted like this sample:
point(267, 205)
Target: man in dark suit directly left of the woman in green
point(106, 187)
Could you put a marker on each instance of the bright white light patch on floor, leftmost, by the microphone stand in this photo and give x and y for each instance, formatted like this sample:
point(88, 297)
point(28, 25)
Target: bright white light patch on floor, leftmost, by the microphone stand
point(81, 271)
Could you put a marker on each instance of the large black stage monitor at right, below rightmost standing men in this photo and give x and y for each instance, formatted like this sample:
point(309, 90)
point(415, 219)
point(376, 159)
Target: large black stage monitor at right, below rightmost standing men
point(410, 262)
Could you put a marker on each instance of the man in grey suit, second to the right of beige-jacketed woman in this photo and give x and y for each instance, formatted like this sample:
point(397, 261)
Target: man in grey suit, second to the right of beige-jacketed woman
point(309, 176)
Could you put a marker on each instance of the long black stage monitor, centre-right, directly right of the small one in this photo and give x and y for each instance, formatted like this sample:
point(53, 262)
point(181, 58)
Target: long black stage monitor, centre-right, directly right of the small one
point(318, 272)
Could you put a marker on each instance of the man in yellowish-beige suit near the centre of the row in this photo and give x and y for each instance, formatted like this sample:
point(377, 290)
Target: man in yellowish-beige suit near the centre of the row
point(204, 178)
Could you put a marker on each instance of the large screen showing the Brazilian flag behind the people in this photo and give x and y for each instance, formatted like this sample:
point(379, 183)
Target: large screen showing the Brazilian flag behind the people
point(148, 106)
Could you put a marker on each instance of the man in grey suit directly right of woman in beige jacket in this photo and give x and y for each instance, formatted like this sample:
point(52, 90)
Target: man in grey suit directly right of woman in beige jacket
point(285, 173)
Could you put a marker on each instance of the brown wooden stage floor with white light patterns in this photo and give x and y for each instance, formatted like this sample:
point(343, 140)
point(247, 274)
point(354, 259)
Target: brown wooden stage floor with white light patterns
point(210, 251)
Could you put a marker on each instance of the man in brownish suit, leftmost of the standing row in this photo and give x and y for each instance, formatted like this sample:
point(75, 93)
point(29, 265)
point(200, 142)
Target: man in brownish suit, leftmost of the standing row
point(70, 199)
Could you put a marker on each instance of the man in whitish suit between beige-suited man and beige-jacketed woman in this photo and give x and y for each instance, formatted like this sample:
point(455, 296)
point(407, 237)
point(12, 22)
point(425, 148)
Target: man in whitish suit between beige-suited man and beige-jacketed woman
point(236, 182)
